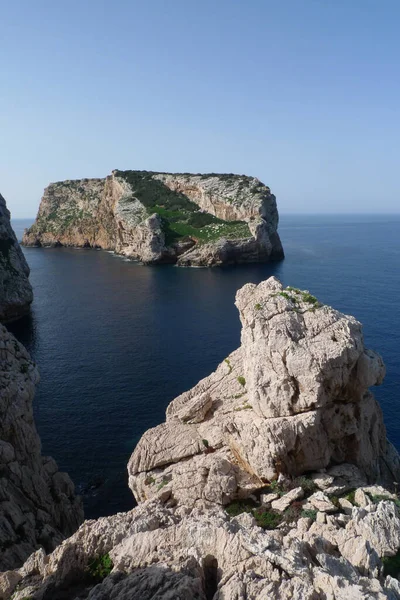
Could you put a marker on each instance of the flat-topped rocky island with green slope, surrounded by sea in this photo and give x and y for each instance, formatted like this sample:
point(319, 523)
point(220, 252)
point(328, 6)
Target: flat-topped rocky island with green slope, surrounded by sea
point(161, 217)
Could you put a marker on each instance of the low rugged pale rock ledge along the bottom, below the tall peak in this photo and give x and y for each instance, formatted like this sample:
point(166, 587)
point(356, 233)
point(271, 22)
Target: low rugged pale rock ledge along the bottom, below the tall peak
point(160, 550)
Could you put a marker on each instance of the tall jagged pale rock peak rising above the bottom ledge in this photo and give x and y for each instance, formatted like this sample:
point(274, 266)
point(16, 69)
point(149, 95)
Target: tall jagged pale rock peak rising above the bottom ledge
point(293, 398)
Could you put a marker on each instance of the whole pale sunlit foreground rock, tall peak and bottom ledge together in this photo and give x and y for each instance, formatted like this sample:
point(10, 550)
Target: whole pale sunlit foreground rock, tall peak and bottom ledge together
point(271, 478)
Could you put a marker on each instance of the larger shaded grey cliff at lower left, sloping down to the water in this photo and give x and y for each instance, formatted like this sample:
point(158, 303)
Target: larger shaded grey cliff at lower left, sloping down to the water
point(38, 507)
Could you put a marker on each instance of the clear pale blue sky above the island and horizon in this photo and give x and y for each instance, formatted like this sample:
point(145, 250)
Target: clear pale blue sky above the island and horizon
point(304, 94)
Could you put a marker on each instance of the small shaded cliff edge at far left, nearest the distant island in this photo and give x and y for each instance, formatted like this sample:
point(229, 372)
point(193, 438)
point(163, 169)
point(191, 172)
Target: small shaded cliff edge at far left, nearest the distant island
point(15, 289)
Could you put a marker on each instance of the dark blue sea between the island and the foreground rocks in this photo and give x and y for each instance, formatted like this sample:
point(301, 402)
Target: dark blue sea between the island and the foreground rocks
point(116, 341)
